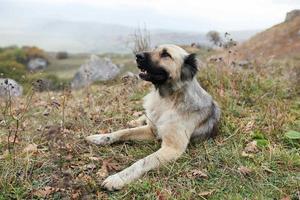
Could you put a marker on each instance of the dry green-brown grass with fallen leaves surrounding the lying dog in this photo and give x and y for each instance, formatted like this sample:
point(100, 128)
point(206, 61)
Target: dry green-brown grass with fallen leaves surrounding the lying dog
point(258, 104)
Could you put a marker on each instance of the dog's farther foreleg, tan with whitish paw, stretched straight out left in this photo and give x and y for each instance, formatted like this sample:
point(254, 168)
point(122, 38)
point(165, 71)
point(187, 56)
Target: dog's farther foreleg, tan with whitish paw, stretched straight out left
point(139, 133)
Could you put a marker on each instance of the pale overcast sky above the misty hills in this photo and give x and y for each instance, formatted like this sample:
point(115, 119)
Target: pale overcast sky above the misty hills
point(185, 15)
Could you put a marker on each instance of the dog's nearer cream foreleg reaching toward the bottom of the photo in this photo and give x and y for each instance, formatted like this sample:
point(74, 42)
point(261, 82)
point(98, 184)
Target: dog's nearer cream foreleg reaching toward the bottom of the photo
point(168, 152)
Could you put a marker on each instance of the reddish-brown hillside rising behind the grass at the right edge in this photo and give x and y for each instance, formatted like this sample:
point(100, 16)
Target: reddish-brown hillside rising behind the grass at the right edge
point(279, 41)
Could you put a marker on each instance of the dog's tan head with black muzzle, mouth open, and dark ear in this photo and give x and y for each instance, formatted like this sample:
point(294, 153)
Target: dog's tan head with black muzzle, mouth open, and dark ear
point(166, 64)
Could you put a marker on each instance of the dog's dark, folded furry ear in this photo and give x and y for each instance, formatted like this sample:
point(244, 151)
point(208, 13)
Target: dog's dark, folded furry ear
point(189, 68)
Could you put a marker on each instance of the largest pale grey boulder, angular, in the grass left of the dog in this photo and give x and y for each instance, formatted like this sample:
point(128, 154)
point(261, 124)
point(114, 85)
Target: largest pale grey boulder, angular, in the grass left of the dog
point(95, 69)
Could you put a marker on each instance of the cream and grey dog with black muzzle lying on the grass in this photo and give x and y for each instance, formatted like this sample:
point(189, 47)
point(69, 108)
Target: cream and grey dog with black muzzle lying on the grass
point(177, 110)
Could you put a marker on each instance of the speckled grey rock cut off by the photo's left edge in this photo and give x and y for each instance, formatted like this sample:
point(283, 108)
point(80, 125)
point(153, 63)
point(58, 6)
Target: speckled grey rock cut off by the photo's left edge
point(10, 87)
